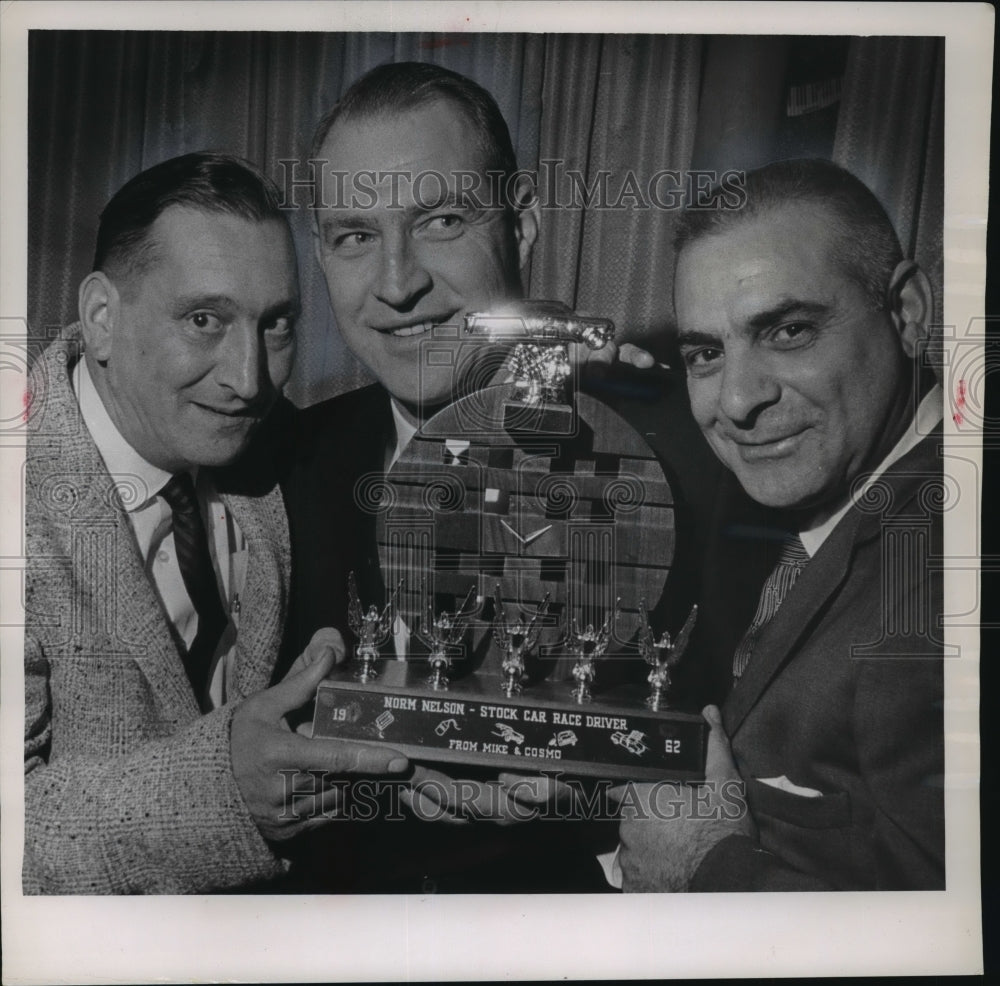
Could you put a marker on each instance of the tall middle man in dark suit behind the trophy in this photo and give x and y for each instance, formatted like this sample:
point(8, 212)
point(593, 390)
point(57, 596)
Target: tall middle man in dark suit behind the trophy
point(400, 259)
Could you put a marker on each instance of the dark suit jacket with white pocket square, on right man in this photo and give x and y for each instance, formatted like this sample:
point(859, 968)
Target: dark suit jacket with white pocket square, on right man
point(844, 695)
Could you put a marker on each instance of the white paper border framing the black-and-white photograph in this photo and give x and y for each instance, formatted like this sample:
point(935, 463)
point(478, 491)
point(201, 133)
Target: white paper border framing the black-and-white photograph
point(261, 938)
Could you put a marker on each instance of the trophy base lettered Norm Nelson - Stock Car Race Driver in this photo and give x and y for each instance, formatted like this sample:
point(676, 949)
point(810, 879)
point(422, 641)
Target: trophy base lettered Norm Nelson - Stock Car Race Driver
point(615, 736)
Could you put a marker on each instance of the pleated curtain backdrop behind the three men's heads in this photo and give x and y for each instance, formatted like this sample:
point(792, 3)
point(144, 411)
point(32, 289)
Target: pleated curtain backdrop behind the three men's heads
point(598, 115)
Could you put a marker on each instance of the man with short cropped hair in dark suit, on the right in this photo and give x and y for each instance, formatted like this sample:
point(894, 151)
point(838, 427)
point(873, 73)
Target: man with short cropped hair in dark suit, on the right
point(801, 326)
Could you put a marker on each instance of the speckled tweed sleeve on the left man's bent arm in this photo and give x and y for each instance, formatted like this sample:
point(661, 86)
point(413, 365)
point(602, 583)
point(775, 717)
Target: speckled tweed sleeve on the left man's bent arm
point(165, 818)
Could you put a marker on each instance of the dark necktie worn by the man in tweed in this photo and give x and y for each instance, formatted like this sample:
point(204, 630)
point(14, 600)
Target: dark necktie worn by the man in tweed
point(191, 544)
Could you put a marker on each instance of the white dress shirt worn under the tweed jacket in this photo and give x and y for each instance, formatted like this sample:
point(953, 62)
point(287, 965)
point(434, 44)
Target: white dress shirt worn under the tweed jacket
point(138, 483)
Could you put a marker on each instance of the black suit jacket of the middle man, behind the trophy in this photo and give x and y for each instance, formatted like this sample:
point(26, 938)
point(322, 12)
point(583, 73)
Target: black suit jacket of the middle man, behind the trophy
point(337, 442)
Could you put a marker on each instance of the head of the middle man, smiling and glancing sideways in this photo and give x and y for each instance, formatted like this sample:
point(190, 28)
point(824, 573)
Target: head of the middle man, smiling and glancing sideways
point(423, 253)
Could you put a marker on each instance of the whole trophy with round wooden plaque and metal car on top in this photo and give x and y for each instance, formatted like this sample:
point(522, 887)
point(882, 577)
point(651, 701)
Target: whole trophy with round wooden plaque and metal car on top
point(526, 525)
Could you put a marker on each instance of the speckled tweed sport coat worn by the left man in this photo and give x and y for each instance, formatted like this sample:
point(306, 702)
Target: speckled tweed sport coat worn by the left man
point(128, 786)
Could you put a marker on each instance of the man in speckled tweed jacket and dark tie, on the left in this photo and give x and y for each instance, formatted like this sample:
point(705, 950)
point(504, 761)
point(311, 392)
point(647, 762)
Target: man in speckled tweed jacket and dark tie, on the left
point(142, 776)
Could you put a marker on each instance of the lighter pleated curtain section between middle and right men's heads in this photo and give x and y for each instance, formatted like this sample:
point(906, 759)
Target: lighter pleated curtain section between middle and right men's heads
point(615, 258)
